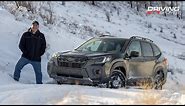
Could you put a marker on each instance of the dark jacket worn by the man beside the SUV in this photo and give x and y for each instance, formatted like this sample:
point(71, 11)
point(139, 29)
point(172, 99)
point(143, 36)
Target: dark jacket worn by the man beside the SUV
point(32, 45)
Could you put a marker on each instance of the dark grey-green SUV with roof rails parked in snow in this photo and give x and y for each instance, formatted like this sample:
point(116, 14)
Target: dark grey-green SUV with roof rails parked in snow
point(111, 61)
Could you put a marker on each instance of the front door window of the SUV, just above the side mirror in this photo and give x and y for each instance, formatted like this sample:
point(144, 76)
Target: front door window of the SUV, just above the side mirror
point(135, 46)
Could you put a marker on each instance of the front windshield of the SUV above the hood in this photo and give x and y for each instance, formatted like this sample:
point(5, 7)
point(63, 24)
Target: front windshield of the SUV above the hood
point(102, 45)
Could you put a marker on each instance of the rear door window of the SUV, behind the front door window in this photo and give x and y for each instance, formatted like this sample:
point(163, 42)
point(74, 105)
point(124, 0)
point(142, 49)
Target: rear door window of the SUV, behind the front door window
point(146, 49)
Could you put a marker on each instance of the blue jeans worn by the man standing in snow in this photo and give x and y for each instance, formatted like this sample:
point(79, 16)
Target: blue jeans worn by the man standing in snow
point(36, 66)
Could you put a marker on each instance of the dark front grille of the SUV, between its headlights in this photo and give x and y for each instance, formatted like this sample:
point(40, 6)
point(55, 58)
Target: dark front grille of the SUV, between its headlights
point(74, 63)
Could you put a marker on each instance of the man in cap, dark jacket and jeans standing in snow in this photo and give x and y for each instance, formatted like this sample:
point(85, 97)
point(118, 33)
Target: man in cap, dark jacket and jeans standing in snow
point(32, 45)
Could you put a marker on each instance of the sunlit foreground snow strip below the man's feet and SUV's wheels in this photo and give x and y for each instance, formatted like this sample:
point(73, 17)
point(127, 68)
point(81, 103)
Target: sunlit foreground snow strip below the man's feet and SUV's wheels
point(17, 93)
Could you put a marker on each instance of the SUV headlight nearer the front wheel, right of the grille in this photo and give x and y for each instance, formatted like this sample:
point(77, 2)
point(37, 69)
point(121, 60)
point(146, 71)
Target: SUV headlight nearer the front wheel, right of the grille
point(102, 59)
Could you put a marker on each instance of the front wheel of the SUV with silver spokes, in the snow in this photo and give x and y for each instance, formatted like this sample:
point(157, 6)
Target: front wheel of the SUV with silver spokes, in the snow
point(117, 79)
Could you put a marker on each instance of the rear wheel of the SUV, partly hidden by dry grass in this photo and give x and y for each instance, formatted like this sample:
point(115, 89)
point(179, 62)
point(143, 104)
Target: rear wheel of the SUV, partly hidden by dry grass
point(158, 81)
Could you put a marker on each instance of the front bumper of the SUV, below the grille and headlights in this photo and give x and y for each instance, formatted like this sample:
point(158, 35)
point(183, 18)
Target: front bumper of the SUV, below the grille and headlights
point(88, 75)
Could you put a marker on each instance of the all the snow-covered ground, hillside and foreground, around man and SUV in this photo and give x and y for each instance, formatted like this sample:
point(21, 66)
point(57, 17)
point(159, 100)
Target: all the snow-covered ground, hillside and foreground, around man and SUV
point(76, 21)
